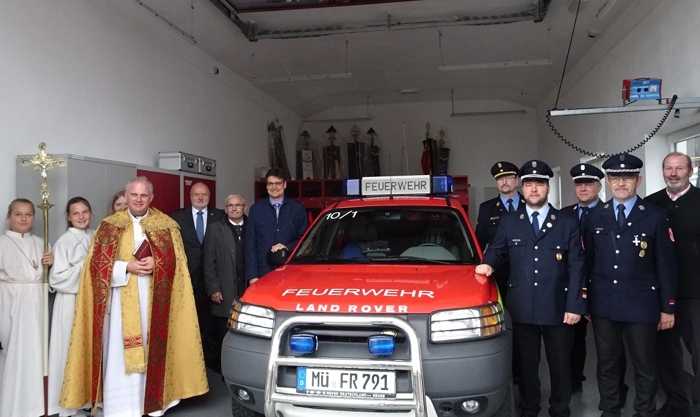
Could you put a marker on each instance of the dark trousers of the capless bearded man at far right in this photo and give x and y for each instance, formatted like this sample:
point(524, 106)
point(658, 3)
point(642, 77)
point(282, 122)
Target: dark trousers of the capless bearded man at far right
point(671, 372)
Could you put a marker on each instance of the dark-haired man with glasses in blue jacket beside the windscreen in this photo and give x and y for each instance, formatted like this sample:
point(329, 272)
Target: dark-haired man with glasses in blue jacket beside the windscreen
point(273, 224)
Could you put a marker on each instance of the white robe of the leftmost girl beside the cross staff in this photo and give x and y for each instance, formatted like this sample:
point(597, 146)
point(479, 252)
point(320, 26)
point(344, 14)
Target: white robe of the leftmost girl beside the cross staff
point(21, 328)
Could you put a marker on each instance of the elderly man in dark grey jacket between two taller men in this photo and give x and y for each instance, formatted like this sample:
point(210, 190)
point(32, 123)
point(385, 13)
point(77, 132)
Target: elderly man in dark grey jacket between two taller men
point(224, 268)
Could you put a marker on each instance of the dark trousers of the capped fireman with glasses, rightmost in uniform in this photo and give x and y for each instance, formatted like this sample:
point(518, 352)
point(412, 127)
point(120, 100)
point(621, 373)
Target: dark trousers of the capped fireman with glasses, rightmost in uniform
point(640, 340)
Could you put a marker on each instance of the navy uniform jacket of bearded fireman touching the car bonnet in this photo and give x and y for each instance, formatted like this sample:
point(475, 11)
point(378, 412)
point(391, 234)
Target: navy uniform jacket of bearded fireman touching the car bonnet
point(546, 276)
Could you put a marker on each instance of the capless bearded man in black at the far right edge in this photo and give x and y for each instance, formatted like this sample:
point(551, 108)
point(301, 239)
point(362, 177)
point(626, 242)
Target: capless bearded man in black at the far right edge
point(681, 200)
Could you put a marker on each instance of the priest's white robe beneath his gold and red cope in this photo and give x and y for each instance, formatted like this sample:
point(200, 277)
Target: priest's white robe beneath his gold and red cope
point(123, 394)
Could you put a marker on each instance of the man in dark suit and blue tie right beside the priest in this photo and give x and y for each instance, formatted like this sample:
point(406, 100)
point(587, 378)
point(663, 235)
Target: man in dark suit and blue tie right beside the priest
point(193, 223)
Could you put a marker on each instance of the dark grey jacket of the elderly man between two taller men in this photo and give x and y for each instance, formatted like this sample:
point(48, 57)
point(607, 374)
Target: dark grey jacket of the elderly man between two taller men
point(220, 261)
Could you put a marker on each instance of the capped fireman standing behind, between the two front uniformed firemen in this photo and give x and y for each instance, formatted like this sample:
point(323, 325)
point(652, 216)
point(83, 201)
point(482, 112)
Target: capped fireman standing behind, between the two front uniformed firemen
point(587, 186)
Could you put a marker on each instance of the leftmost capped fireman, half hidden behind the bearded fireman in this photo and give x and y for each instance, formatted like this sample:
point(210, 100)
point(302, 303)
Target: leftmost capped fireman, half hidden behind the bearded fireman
point(490, 212)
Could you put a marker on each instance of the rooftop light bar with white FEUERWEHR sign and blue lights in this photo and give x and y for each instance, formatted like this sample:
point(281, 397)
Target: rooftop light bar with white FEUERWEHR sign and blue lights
point(399, 185)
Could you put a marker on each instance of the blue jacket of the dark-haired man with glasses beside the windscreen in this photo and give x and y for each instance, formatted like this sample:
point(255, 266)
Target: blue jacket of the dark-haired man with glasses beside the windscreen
point(266, 230)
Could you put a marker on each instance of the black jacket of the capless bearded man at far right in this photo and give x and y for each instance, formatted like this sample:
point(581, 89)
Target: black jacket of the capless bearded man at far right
point(685, 223)
